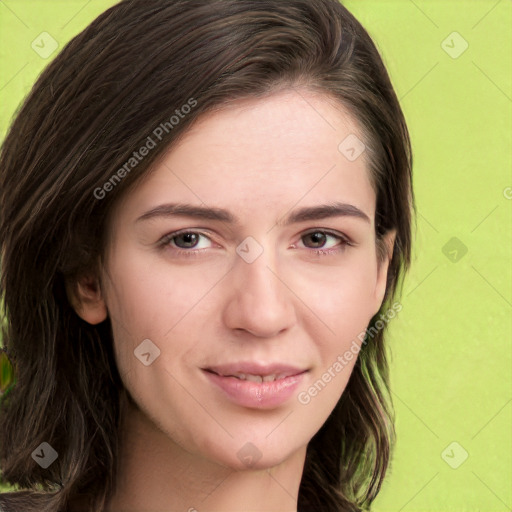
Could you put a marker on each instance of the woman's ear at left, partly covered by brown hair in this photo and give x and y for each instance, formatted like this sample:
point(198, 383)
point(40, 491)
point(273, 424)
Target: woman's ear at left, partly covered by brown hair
point(87, 299)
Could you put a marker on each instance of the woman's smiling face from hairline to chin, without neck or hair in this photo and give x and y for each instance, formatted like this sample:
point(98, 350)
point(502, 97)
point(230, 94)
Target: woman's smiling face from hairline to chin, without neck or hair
point(258, 278)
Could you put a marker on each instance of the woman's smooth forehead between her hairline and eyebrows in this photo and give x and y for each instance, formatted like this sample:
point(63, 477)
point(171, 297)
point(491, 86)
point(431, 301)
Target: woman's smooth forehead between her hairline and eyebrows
point(258, 156)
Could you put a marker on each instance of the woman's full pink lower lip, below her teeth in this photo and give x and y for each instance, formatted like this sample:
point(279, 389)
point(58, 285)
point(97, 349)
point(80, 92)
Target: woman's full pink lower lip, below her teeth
point(260, 395)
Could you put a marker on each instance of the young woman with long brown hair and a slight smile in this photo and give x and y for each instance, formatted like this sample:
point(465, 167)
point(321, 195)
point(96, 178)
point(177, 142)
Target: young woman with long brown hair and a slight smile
point(206, 212)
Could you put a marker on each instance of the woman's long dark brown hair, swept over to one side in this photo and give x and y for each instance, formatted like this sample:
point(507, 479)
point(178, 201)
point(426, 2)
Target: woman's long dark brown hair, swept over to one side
point(109, 89)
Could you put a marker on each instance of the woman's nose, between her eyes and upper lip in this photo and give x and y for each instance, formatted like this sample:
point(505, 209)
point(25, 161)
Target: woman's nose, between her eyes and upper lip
point(259, 302)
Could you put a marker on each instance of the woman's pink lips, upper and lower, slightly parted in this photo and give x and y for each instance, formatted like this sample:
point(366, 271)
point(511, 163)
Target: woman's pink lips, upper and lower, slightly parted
point(258, 395)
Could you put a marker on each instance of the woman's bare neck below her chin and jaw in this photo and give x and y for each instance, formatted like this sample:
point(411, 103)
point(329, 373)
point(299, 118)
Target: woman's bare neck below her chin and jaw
point(157, 474)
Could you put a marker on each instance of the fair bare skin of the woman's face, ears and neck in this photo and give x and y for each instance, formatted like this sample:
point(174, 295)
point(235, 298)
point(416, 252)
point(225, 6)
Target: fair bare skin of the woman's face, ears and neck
point(261, 159)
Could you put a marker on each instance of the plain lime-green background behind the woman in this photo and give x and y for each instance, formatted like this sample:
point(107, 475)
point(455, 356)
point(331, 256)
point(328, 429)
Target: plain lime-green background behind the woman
point(451, 344)
